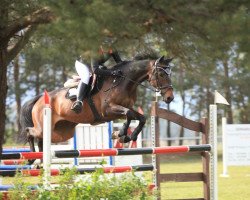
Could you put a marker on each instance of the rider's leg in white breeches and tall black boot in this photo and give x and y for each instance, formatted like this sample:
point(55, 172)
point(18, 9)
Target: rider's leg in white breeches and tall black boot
point(83, 72)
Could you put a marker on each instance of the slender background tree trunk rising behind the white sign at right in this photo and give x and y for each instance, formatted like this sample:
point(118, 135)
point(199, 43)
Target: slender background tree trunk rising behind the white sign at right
point(228, 92)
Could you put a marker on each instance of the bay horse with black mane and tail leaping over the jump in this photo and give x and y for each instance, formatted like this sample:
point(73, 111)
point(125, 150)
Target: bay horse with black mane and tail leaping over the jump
point(114, 99)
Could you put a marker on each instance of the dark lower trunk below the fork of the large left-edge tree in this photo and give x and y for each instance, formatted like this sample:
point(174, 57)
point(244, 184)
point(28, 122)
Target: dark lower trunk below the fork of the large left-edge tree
point(3, 94)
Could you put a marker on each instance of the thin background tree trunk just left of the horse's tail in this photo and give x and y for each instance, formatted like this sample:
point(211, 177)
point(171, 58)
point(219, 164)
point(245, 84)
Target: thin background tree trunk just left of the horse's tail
point(17, 93)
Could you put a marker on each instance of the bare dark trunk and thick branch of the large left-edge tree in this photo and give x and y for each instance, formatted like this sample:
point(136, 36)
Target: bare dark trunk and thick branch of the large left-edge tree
point(8, 29)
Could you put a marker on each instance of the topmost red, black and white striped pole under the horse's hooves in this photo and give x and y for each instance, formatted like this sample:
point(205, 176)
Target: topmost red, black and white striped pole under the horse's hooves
point(109, 152)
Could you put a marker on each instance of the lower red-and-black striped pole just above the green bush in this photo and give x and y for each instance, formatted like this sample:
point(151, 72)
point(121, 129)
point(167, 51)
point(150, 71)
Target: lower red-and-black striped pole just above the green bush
point(55, 172)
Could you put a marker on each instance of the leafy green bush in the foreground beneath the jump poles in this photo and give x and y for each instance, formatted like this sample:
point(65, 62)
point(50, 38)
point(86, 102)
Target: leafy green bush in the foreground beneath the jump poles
point(72, 186)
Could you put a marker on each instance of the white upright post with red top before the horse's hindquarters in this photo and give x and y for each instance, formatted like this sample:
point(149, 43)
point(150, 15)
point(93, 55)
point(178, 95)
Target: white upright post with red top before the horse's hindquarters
point(46, 141)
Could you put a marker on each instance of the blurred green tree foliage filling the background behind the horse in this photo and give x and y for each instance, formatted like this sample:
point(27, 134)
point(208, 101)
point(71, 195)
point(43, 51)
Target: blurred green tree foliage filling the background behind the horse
point(208, 40)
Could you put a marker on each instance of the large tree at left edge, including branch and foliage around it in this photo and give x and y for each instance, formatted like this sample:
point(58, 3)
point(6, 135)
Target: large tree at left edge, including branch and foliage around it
point(18, 22)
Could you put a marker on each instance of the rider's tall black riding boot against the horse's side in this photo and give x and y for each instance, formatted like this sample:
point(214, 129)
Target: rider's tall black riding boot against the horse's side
point(77, 105)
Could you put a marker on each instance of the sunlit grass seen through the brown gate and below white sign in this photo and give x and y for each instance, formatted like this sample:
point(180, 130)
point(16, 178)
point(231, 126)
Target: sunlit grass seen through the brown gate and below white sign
point(235, 187)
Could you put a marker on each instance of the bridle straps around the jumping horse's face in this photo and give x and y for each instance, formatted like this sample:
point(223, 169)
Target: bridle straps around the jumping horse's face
point(155, 72)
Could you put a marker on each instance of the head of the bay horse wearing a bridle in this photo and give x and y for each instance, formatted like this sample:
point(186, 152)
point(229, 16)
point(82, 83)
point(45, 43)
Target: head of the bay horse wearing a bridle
point(160, 78)
